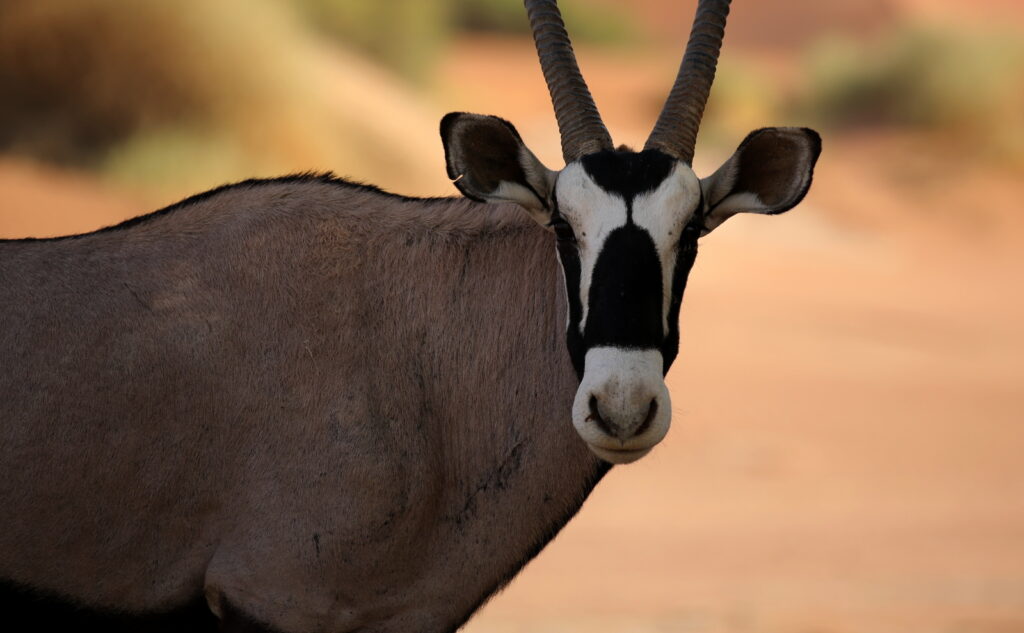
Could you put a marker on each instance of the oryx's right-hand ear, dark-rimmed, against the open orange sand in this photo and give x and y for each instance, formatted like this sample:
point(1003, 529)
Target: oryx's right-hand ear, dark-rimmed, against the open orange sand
point(770, 174)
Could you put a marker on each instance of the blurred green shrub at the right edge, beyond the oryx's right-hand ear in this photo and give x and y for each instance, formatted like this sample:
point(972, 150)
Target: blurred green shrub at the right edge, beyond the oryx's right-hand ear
point(933, 79)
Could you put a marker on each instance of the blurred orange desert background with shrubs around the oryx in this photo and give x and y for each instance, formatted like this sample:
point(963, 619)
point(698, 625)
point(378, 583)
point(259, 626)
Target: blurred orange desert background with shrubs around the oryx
point(847, 452)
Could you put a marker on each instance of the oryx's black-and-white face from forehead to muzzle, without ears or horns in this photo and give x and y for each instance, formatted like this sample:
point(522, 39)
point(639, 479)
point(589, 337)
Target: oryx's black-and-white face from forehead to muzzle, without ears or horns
point(627, 242)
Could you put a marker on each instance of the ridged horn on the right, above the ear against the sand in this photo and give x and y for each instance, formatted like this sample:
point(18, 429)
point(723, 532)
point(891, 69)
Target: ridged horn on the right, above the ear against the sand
point(676, 131)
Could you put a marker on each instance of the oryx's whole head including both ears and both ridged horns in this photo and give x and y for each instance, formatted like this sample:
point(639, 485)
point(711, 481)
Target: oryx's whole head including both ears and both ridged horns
point(626, 224)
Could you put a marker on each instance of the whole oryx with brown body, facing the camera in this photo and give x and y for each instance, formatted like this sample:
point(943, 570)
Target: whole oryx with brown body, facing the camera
point(305, 405)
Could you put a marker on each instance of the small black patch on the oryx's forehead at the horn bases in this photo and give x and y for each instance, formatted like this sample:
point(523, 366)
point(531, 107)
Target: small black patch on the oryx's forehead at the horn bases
point(628, 174)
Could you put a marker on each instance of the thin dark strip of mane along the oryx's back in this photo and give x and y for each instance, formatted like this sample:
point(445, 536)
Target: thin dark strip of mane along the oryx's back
point(310, 178)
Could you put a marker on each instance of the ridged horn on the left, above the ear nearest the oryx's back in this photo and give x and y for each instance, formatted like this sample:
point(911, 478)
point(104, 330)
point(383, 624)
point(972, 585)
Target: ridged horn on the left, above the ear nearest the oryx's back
point(579, 122)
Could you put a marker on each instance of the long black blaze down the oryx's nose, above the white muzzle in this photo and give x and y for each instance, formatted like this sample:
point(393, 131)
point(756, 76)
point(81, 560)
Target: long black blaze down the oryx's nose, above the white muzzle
point(626, 293)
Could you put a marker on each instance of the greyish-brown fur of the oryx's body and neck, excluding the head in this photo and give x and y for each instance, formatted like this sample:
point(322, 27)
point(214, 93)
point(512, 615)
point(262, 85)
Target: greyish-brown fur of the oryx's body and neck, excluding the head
point(326, 407)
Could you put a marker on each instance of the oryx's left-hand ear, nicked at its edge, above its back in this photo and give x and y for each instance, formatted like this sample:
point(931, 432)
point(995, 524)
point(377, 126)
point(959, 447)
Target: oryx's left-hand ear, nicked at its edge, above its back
point(489, 162)
